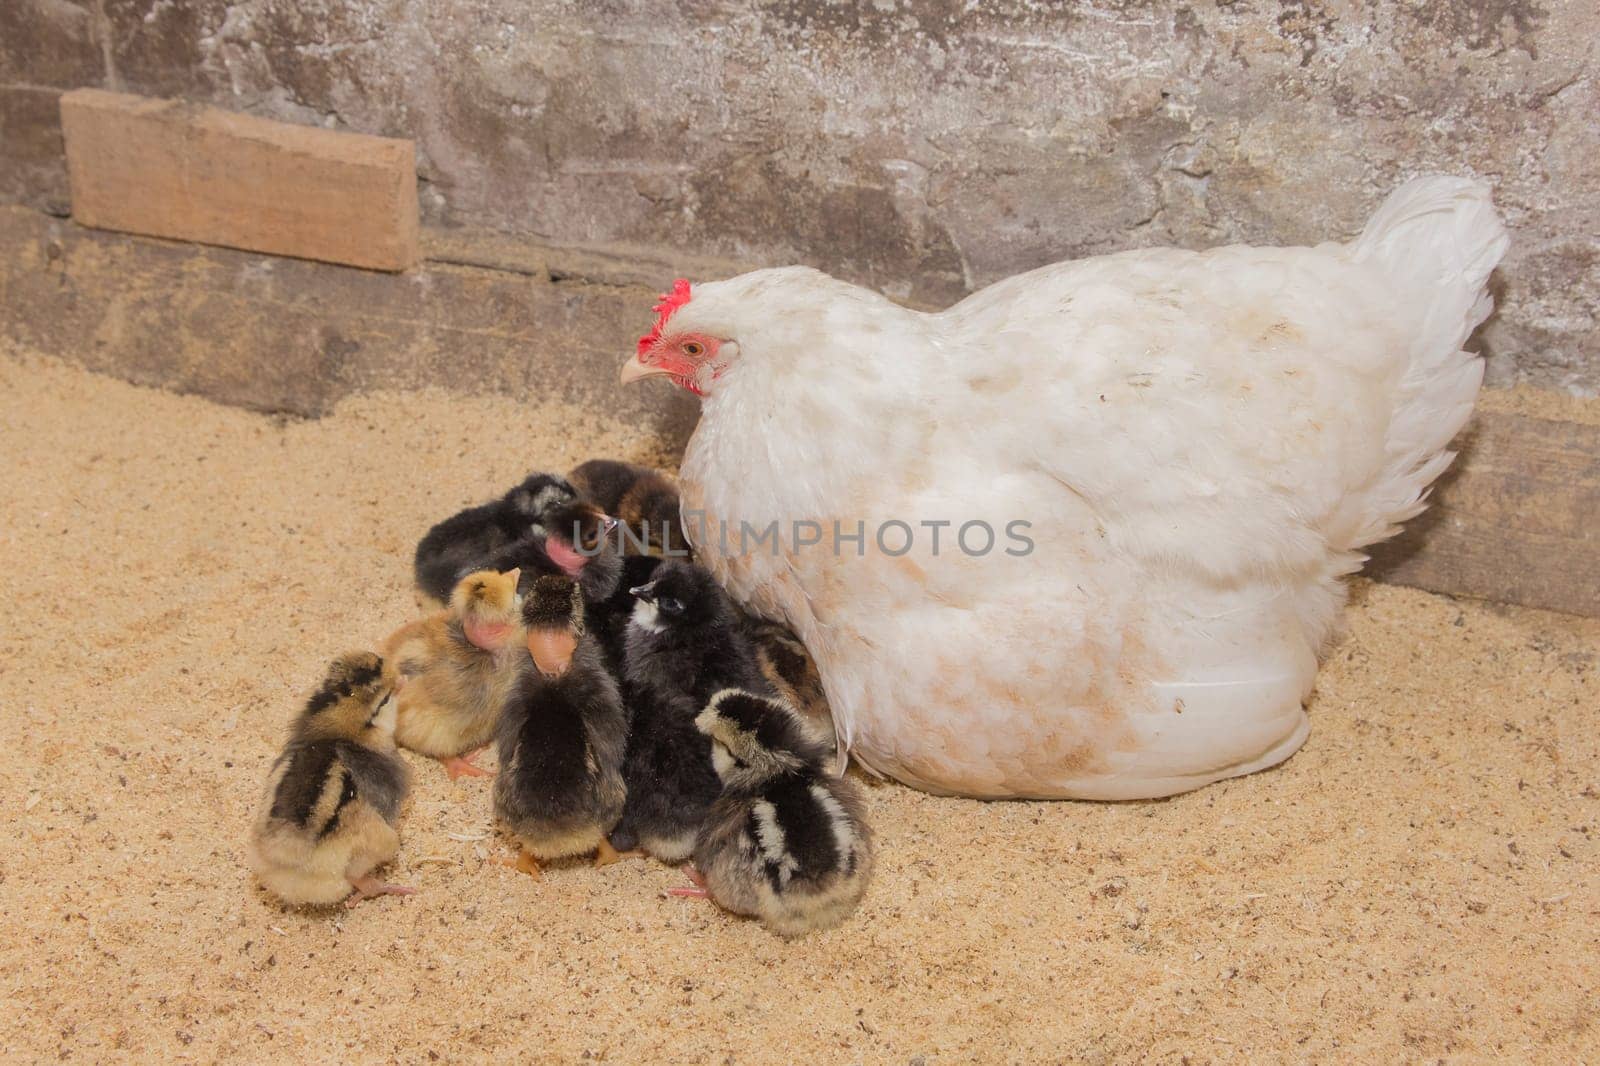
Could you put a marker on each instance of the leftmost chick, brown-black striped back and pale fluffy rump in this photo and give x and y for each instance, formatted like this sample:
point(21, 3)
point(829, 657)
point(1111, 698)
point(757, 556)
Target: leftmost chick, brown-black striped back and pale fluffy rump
point(329, 816)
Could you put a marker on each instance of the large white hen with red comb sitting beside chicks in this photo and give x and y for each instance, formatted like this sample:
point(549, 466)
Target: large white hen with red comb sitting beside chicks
point(1201, 446)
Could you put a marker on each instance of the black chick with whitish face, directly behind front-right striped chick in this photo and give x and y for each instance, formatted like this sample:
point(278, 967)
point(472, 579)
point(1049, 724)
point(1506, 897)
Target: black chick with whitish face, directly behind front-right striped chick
point(686, 643)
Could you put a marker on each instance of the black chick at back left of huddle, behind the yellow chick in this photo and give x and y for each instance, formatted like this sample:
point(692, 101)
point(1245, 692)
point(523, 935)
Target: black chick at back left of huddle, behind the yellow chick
point(473, 539)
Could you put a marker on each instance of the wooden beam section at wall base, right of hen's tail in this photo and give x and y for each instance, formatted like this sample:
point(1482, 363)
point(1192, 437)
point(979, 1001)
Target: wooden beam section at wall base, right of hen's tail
point(1518, 518)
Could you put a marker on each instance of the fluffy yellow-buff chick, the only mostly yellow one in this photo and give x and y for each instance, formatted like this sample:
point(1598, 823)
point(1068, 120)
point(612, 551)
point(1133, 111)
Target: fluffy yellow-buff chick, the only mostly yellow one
point(455, 670)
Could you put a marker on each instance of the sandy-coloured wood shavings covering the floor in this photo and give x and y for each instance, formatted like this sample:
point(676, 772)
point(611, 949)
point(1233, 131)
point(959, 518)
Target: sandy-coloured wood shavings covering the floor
point(1420, 883)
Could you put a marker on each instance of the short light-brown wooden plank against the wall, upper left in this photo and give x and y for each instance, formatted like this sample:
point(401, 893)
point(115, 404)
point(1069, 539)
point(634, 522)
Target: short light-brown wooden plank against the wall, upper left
point(169, 169)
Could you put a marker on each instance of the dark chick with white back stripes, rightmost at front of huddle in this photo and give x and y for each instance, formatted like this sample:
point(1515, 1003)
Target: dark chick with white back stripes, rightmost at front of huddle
point(786, 843)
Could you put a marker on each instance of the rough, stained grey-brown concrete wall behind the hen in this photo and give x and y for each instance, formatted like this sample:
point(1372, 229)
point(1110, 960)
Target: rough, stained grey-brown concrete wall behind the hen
point(924, 148)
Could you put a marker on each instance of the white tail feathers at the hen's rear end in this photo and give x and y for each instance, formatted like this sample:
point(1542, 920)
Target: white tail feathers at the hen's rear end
point(1434, 244)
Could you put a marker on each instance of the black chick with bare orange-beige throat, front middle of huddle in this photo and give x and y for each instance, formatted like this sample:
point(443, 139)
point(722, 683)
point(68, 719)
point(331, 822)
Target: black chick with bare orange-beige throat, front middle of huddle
point(562, 737)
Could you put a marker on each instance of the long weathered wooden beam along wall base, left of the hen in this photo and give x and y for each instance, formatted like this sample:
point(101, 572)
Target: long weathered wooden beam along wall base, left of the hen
point(298, 337)
